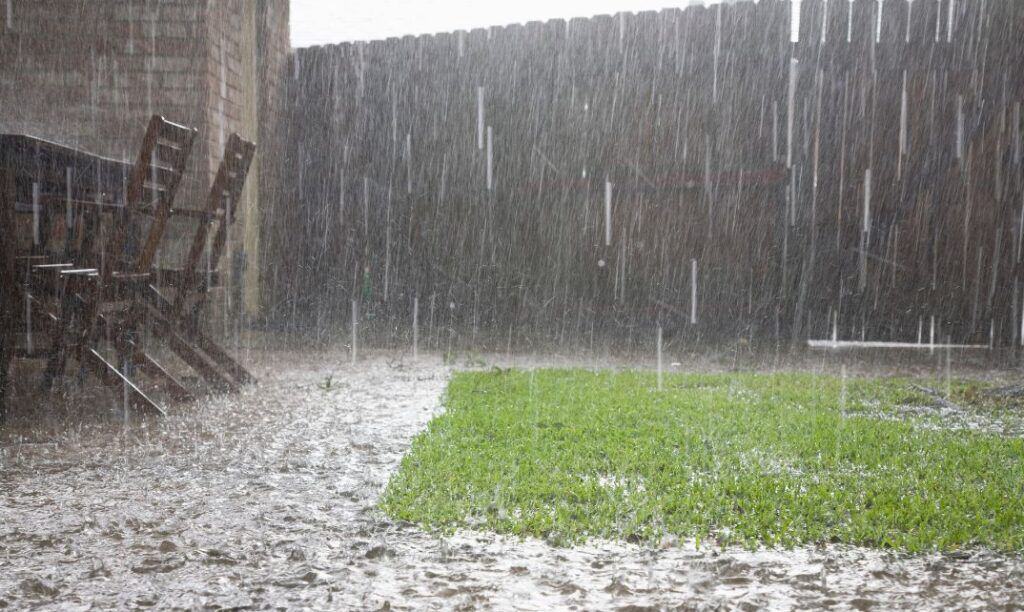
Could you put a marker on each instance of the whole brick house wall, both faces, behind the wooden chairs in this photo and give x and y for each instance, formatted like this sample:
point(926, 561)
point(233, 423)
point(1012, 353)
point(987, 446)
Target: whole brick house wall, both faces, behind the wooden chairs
point(90, 74)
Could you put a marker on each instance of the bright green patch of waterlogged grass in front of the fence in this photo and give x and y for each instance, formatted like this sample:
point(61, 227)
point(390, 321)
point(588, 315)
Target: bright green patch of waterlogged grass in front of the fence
point(757, 460)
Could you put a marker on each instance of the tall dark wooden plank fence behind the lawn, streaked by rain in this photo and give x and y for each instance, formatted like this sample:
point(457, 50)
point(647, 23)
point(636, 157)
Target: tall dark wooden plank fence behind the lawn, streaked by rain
point(554, 98)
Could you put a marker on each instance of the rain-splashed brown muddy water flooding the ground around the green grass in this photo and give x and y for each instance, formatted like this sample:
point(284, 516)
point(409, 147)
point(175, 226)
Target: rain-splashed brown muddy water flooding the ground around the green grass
point(268, 499)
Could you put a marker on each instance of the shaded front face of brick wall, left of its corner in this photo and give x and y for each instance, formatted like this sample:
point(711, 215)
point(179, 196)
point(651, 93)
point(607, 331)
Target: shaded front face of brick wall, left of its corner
point(89, 75)
